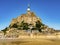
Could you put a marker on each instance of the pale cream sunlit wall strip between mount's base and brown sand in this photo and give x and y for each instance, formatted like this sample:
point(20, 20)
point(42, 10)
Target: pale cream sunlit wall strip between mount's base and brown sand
point(42, 36)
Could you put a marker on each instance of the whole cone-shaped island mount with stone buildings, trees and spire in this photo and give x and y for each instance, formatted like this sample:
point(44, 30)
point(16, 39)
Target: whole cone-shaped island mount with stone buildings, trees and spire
point(27, 24)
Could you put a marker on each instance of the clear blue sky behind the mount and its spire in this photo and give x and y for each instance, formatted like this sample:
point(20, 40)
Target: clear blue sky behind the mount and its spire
point(47, 10)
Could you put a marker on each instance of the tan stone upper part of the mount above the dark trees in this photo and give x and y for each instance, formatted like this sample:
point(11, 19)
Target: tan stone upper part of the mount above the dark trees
point(29, 18)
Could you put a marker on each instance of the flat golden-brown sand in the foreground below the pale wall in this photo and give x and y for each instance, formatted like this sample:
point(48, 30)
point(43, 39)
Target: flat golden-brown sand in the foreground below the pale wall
point(33, 42)
